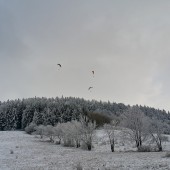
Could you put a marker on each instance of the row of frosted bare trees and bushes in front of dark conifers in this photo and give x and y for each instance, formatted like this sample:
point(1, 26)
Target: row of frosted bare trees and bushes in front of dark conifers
point(132, 126)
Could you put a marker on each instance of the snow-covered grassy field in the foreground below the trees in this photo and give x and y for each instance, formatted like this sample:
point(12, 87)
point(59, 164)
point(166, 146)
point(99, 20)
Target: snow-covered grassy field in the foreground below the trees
point(20, 151)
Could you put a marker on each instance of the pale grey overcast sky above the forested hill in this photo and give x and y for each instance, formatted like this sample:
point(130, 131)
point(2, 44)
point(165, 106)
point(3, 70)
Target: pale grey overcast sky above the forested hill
point(126, 43)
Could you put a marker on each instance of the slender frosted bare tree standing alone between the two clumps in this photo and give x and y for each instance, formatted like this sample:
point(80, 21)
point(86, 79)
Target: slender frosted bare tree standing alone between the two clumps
point(110, 129)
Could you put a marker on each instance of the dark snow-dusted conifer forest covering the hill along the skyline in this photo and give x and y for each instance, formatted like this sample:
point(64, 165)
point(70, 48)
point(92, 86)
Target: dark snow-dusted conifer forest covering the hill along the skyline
point(18, 114)
